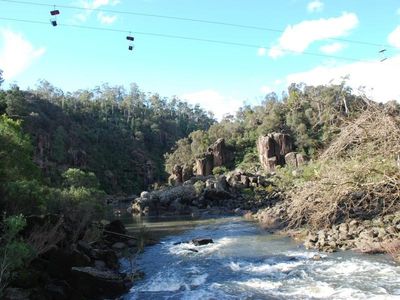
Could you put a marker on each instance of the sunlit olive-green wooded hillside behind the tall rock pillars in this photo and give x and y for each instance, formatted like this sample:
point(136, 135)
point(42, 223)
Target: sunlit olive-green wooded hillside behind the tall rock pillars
point(311, 115)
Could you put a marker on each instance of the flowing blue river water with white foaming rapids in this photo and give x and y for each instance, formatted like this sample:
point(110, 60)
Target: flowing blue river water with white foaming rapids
point(245, 262)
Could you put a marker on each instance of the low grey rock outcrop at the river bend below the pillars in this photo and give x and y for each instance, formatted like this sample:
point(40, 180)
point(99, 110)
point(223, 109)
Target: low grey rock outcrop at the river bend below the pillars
point(204, 192)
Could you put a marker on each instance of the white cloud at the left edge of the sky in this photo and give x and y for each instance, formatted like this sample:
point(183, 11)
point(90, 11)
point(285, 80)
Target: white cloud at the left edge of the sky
point(16, 53)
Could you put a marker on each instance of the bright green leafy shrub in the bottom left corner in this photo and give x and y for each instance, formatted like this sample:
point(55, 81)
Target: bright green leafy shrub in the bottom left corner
point(14, 253)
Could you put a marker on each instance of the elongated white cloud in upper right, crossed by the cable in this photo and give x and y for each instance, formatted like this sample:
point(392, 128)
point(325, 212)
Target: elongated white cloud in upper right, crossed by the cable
point(299, 37)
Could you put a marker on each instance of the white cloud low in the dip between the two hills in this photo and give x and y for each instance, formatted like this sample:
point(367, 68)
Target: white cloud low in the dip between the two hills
point(212, 100)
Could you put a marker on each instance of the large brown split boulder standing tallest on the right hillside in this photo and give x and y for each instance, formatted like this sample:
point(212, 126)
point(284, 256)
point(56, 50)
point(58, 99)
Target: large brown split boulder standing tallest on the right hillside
point(272, 149)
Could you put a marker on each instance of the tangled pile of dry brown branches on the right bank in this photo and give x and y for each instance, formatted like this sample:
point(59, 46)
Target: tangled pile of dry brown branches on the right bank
point(359, 176)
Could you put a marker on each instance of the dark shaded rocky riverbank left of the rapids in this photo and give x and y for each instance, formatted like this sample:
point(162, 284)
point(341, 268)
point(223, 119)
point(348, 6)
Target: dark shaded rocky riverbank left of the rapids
point(78, 265)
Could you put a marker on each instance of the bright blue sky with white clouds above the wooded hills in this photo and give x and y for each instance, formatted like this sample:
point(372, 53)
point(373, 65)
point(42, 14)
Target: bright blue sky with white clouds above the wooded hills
point(220, 77)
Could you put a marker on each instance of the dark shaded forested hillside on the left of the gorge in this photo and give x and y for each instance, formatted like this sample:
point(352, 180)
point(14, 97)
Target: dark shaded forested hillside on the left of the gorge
point(118, 135)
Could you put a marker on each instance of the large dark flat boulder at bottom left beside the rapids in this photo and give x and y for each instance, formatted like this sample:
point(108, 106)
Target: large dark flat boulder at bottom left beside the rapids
point(96, 284)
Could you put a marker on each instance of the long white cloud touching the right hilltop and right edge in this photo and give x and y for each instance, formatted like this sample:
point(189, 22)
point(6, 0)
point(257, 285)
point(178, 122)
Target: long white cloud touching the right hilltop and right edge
point(379, 78)
